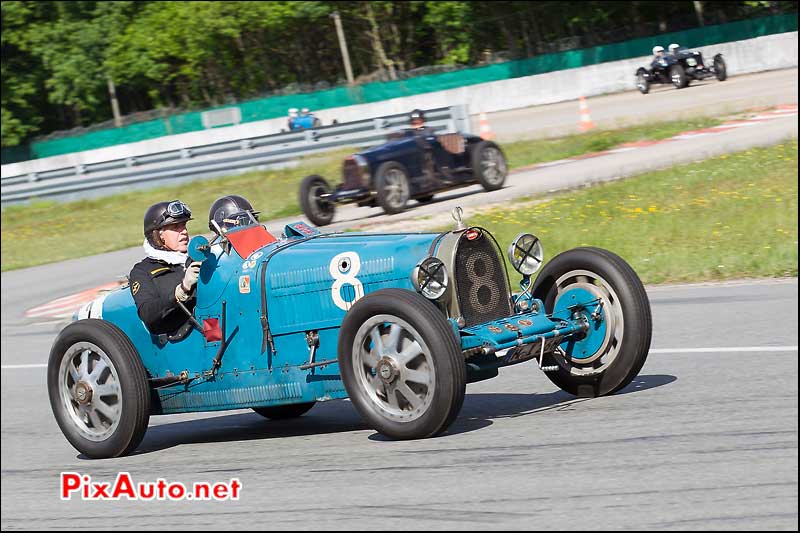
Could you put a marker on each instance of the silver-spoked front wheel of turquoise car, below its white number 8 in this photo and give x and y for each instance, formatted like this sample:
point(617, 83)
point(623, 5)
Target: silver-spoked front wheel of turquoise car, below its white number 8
point(399, 316)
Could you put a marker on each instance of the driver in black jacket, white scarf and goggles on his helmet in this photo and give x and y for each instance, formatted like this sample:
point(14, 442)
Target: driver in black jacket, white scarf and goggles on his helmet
point(167, 275)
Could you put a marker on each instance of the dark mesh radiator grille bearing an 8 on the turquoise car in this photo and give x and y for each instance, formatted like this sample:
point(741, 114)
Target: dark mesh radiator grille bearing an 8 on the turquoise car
point(482, 285)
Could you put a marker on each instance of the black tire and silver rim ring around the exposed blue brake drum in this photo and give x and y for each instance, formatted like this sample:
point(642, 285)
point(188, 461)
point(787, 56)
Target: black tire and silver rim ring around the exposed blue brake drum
point(626, 311)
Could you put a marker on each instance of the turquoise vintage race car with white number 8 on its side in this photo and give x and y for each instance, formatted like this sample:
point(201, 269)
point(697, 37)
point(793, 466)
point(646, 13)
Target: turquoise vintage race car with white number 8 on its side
point(399, 323)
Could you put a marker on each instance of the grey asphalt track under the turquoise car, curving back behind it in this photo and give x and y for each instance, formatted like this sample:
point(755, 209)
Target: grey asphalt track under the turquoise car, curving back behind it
point(705, 437)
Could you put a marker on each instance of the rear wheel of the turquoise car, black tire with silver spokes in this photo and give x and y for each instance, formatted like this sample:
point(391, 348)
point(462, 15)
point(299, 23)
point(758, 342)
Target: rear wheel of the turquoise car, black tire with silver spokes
point(108, 425)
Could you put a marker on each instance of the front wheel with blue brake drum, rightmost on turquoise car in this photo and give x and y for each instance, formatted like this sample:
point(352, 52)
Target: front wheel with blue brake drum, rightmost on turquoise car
point(611, 353)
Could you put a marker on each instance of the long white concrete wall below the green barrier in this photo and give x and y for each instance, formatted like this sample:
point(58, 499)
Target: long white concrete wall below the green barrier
point(753, 55)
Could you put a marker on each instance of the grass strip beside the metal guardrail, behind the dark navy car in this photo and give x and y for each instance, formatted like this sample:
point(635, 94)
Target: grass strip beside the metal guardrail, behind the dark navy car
point(47, 231)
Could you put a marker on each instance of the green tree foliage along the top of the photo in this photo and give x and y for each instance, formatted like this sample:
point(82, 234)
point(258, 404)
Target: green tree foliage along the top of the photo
point(57, 56)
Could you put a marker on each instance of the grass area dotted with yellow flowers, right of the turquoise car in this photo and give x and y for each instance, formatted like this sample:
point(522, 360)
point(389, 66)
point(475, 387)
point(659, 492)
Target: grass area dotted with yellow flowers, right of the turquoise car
point(734, 216)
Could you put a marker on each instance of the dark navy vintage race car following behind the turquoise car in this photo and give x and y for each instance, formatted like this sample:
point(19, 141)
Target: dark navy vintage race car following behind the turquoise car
point(413, 164)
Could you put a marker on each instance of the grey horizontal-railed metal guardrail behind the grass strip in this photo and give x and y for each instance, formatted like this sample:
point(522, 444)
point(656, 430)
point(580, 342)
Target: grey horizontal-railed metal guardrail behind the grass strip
point(210, 160)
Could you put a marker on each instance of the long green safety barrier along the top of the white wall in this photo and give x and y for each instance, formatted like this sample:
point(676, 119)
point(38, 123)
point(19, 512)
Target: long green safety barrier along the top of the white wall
point(276, 106)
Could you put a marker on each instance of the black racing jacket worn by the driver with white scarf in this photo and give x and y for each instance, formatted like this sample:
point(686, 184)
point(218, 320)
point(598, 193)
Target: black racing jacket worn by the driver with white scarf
point(152, 283)
